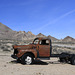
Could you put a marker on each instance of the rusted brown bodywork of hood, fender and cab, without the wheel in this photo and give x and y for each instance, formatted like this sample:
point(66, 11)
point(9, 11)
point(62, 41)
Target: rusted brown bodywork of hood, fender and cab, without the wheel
point(38, 50)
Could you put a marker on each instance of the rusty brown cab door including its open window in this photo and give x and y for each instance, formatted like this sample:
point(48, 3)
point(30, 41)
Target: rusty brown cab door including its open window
point(44, 48)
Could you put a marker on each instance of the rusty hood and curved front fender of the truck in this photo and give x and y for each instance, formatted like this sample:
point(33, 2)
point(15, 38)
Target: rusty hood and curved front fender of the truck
point(22, 49)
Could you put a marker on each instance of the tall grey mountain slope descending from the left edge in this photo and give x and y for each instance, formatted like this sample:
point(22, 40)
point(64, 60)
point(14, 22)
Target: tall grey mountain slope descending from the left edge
point(6, 32)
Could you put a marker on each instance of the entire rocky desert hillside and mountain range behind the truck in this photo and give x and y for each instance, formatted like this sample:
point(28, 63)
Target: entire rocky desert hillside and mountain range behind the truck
point(8, 37)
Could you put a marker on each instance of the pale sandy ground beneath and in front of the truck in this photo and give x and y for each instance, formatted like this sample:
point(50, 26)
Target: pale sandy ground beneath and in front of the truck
point(9, 66)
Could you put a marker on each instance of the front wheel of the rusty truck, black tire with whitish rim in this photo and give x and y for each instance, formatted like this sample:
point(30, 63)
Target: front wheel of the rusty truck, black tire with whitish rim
point(27, 59)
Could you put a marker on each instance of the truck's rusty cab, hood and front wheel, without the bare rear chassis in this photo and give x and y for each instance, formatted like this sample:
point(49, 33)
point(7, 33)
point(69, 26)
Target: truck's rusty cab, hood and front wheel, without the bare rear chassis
point(40, 48)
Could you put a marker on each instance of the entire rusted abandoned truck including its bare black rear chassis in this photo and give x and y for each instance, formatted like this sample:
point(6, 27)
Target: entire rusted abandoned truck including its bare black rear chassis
point(40, 48)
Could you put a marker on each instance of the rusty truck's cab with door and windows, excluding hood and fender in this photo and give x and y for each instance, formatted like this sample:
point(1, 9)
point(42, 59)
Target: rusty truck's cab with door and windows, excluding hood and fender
point(43, 47)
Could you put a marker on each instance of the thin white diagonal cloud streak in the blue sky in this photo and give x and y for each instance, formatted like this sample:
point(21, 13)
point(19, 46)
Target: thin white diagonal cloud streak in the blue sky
point(56, 20)
